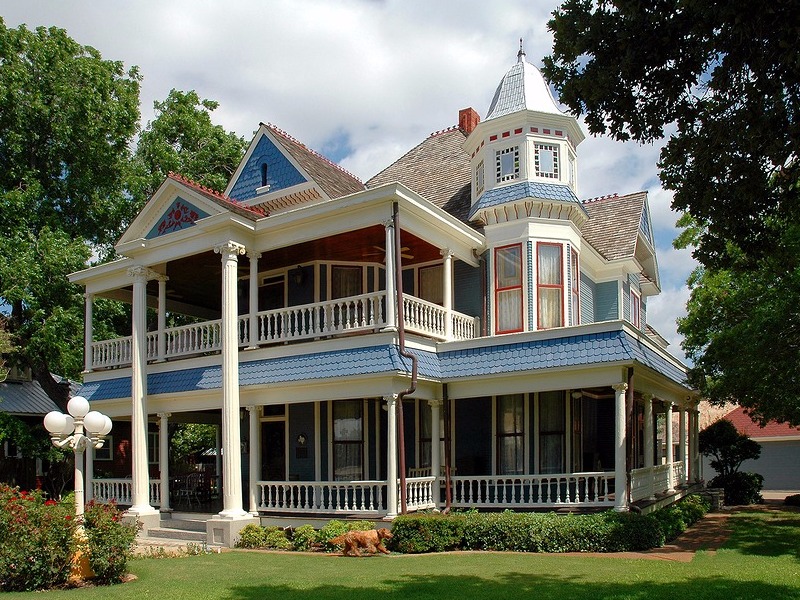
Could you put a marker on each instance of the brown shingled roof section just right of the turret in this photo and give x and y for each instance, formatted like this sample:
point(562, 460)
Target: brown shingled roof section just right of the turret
point(613, 225)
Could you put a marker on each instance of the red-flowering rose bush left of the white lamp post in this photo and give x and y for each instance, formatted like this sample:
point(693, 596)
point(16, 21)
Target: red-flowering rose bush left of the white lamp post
point(37, 540)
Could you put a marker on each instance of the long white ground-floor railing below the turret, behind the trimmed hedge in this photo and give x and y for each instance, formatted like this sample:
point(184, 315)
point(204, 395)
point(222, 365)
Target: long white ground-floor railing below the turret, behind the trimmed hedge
point(509, 491)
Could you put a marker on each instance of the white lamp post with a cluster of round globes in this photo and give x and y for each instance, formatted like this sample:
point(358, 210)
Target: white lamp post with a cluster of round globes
point(68, 430)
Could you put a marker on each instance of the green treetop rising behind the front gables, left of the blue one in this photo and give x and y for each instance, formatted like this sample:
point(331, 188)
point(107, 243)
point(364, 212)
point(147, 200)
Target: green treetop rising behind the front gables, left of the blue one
point(183, 139)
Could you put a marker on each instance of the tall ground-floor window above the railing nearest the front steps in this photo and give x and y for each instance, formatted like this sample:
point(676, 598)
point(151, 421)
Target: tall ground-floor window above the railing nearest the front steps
point(348, 440)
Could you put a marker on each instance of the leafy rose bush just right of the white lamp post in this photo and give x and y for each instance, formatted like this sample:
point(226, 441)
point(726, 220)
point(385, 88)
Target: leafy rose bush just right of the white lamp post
point(110, 539)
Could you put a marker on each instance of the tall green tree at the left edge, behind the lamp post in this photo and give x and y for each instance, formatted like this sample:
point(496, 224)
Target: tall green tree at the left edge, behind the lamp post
point(67, 119)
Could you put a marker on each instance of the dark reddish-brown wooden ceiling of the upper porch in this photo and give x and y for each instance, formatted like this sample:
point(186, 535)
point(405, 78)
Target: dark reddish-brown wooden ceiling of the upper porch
point(197, 279)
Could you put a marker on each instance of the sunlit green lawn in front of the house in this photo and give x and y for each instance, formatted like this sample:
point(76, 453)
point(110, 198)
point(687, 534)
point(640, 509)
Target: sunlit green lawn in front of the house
point(761, 560)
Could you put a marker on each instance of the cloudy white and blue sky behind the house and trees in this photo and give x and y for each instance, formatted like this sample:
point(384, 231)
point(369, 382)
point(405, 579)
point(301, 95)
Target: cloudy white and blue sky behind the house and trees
point(360, 81)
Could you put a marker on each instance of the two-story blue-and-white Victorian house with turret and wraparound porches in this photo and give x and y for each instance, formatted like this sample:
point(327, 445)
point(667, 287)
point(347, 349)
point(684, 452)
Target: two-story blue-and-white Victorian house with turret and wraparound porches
point(539, 381)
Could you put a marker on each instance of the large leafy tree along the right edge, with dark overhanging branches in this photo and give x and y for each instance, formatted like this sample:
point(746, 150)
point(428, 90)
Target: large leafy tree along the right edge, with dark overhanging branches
point(722, 81)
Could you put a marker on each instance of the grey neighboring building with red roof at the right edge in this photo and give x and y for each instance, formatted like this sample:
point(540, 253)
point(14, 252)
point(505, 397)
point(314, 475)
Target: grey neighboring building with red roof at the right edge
point(780, 451)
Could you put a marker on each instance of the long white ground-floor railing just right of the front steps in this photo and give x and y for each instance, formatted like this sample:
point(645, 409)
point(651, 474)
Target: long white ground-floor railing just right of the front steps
point(322, 496)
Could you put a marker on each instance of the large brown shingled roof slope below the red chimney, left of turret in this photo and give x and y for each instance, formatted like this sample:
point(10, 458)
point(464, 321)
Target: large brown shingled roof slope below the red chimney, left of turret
point(437, 169)
